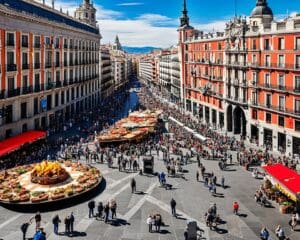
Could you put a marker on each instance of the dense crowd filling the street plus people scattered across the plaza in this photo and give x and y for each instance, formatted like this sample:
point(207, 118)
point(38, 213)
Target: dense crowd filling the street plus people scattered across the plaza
point(80, 131)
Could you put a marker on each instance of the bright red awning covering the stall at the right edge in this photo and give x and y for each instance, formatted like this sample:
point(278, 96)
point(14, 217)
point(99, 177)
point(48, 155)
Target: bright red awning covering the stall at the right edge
point(287, 177)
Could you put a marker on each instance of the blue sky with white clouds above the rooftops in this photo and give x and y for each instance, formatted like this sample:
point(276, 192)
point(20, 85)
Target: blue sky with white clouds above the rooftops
point(154, 23)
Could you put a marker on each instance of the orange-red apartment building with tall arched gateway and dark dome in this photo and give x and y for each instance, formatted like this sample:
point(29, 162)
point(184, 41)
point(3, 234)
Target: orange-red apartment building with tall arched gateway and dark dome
point(246, 79)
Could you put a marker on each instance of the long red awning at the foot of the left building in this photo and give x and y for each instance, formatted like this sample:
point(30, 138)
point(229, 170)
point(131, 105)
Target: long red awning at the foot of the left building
point(14, 143)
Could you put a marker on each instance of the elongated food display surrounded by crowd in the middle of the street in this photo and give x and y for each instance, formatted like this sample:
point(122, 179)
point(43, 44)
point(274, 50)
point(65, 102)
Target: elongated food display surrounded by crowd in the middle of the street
point(136, 126)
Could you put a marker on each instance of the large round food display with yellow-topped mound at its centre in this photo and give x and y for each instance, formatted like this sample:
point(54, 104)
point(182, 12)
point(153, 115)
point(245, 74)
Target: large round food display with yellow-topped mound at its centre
point(47, 181)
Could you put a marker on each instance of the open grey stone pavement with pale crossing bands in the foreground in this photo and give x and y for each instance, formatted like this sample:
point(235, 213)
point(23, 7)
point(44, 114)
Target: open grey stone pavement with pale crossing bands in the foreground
point(192, 198)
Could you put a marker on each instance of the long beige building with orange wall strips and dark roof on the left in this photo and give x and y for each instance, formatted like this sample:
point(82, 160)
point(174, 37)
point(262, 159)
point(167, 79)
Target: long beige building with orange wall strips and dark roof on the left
point(49, 64)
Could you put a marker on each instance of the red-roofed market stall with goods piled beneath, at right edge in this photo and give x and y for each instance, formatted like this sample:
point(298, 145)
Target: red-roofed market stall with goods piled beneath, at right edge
point(283, 186)
